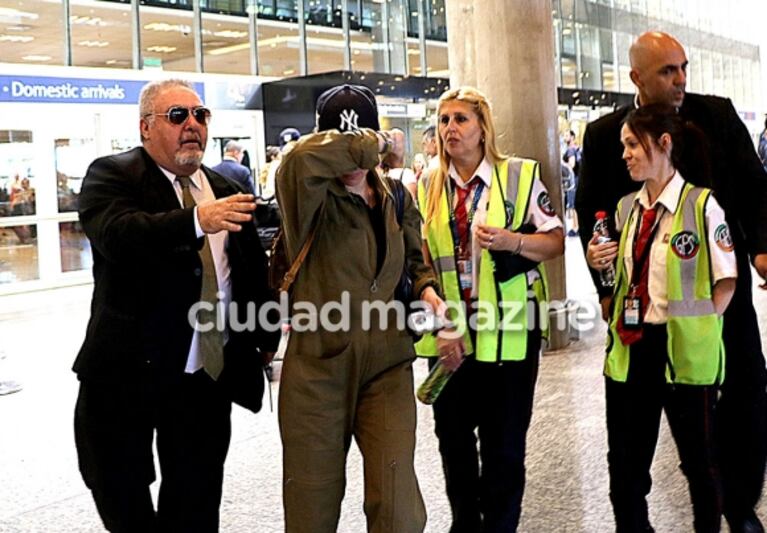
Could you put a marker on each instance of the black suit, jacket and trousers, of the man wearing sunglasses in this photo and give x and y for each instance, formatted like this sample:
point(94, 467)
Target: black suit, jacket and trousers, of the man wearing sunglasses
point(147, 273)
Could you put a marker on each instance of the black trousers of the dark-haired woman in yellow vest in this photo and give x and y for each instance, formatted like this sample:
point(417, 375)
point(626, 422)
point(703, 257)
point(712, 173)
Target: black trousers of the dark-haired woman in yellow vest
point(633, 421)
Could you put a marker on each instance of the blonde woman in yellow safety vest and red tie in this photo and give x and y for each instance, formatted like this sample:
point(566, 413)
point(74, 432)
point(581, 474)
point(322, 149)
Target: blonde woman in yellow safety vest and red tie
point(488, 224)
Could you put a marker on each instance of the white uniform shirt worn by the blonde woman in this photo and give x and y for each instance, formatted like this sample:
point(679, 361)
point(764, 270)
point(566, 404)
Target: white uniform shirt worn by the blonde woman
point(539, 212)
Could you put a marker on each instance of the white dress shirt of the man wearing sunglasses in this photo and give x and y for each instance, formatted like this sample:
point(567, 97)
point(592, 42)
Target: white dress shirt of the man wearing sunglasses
point(201, 192)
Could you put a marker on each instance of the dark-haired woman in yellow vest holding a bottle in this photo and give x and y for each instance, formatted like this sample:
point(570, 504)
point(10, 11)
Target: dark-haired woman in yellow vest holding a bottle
point(674, 278)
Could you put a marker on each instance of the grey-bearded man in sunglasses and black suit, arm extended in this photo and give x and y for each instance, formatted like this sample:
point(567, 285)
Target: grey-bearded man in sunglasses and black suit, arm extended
point(165, 231)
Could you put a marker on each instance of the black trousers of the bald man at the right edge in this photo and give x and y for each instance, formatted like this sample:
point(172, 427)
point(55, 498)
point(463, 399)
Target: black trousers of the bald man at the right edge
point(742, 409)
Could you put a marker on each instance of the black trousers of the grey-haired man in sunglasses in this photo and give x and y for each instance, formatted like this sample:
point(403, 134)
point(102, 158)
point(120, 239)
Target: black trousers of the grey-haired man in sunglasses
point(115, 425)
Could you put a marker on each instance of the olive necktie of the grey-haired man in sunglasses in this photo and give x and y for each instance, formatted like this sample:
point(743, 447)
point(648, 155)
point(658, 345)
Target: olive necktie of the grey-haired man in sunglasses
point(211, 343)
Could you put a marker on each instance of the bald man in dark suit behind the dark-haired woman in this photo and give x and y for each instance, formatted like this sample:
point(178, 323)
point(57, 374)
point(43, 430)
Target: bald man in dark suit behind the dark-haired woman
point(658, 69)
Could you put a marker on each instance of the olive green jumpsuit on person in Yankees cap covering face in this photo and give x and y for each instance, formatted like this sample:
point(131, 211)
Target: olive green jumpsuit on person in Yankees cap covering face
point(339, 384)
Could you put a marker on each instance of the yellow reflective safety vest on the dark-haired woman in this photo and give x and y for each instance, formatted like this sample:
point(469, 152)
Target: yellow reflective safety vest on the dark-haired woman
point(695, 348)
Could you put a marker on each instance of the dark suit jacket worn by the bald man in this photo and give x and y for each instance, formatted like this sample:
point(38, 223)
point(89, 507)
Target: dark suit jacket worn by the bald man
point(738, 179)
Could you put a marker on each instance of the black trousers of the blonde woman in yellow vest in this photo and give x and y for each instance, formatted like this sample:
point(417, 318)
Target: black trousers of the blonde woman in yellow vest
point(496, 400)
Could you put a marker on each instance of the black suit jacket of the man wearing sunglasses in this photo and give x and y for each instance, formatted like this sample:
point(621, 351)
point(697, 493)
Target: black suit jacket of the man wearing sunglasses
point(147, 271)
